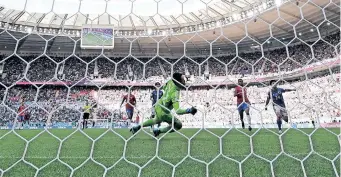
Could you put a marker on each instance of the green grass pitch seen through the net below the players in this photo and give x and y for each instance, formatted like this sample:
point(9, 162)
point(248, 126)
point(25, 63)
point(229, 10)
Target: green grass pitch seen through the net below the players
point(173, 148)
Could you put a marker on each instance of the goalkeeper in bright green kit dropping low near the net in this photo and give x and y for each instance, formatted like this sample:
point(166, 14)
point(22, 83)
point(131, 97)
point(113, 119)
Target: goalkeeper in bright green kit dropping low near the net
point(169, 101)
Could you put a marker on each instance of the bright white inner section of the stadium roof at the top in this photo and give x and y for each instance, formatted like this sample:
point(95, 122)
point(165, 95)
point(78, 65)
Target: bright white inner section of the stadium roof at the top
point(127, 14)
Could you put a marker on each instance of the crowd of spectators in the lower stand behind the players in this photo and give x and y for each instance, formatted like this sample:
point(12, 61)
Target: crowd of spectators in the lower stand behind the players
point(314, 99)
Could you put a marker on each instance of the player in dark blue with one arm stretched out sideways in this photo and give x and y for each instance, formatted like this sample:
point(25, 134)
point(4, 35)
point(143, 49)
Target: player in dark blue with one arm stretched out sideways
point(276, 94)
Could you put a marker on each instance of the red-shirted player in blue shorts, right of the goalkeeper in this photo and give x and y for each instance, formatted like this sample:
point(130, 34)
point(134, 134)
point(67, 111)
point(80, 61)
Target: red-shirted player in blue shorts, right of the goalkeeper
point(242, 103)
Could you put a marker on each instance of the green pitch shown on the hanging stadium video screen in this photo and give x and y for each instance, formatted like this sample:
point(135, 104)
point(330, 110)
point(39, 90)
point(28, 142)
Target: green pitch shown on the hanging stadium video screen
point(95, 40)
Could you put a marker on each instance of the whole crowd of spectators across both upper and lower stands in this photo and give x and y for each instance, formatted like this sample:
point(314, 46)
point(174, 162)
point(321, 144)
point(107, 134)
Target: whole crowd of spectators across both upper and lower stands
point(315, 98)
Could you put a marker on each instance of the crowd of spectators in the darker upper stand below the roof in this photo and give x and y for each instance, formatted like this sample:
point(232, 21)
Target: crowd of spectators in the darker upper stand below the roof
point(75, 69)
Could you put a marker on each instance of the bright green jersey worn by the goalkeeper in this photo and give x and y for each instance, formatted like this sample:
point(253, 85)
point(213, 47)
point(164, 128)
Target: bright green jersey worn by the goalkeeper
point(170, 98)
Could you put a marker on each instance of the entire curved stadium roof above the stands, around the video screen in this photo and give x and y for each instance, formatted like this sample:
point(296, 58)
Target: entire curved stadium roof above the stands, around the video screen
point(193, 24)
